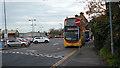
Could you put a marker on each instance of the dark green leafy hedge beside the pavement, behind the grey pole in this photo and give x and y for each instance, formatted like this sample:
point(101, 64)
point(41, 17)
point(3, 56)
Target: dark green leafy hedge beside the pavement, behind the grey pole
point(101, 29)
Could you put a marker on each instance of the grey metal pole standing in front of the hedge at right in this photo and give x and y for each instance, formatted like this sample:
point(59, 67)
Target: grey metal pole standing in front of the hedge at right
point(112, 48)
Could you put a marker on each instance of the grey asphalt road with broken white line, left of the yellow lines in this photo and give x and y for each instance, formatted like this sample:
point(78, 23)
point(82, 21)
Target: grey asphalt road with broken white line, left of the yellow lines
point(42, 54)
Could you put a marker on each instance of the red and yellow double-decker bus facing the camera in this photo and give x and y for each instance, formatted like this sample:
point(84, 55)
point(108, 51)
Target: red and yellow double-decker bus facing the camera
point(71, 33)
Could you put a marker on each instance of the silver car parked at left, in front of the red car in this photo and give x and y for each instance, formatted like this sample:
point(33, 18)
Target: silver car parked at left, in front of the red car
point(16, 42)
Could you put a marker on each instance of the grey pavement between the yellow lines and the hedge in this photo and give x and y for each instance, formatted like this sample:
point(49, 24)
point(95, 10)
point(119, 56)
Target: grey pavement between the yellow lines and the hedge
point(86, 56)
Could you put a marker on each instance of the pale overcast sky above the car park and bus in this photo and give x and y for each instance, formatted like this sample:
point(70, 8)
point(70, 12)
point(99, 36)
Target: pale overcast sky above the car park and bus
point(48, 13)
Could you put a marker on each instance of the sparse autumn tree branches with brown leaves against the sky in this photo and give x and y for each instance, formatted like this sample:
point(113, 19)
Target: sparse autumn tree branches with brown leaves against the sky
point(96, 8)
